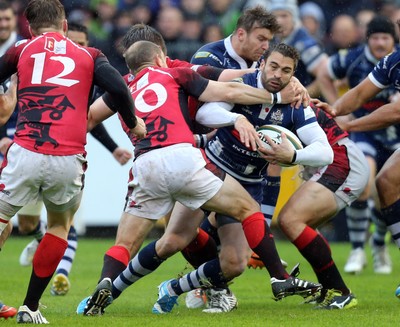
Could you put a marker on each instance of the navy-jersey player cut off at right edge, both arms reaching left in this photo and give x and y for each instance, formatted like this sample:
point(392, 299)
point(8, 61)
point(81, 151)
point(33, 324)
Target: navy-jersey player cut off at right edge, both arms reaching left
point(386, 73)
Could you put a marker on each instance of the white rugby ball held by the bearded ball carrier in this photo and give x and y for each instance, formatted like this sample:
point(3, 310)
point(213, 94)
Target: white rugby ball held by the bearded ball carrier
point(274, 132)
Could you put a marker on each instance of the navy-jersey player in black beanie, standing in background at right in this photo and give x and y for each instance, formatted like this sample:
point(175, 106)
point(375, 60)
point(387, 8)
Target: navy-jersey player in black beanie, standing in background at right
point(355, 65)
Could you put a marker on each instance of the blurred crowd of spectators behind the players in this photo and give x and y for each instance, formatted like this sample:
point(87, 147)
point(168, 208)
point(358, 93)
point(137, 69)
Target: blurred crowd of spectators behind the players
point(188, 24)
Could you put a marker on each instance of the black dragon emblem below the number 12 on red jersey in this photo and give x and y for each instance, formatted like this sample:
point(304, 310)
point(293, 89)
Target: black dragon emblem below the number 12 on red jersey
point(33, 103)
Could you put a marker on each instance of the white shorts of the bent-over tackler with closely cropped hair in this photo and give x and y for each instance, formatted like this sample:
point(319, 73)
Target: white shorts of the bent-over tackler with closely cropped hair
point(163, 176)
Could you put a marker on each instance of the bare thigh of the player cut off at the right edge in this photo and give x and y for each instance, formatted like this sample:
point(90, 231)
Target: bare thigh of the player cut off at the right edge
point(388, 180)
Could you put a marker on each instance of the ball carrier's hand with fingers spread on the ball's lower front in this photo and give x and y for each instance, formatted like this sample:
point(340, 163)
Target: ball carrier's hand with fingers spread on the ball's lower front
point(277, 153)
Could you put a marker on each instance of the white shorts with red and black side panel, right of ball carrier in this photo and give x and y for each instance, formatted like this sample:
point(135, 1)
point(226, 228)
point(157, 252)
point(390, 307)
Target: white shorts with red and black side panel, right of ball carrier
point(347, 176)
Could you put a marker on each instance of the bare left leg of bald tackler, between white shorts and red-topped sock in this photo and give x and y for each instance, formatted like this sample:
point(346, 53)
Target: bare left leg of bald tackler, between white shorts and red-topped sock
point(132, 231)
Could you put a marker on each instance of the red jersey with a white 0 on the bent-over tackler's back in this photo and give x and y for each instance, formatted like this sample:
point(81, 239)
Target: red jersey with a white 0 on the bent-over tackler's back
point(161, 99)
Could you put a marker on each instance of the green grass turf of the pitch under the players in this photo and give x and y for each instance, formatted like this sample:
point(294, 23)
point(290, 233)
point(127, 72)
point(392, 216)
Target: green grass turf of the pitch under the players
point(377, 304)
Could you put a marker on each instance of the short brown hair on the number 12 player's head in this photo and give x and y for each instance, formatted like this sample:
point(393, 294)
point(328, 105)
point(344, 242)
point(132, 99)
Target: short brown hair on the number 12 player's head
point(44, 14)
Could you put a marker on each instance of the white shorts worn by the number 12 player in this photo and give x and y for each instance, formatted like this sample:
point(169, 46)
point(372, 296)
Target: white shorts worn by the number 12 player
point(27, 177)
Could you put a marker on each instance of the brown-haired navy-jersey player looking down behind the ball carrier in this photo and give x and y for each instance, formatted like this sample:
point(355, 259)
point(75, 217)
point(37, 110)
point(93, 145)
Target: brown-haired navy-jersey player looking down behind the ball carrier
point(253, 33)
